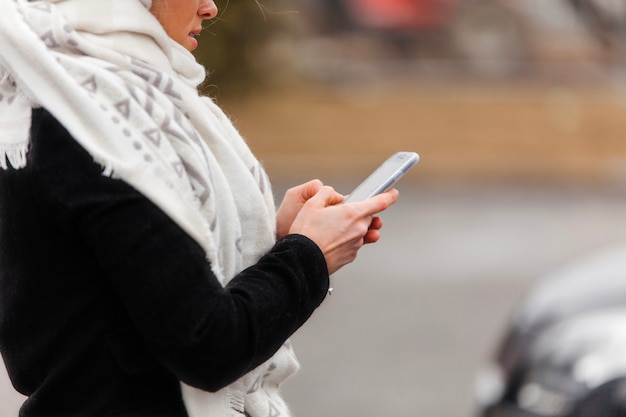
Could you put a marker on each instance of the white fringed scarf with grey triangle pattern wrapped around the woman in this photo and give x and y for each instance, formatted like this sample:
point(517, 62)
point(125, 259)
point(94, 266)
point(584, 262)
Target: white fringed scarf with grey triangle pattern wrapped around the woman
point(128, 94)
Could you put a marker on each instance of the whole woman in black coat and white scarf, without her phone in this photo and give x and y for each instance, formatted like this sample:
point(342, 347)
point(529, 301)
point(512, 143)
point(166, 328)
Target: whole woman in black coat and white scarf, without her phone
point(143, 268)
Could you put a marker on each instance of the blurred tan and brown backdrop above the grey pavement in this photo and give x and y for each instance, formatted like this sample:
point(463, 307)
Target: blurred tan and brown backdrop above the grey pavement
point(486, 90)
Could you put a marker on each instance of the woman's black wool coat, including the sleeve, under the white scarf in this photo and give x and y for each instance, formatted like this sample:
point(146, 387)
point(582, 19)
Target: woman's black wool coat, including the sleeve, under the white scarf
point(105, 303)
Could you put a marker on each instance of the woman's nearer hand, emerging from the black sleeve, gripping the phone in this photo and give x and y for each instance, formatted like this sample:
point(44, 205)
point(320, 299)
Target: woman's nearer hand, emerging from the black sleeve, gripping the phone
point(340, 230)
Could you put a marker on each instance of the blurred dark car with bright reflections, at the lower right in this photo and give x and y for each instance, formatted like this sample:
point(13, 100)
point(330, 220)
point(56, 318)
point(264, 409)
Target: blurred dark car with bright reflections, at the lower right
point(564, 353)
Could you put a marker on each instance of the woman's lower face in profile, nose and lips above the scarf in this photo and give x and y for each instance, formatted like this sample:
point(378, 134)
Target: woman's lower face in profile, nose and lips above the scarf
point(182, 19)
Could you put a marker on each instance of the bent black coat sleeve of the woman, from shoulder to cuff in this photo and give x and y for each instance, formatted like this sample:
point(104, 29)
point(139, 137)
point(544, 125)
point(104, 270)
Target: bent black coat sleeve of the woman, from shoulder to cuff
point(207, 335)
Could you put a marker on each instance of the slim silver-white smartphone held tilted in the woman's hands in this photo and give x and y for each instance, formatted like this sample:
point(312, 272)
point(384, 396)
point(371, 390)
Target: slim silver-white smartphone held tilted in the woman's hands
point(384, 177)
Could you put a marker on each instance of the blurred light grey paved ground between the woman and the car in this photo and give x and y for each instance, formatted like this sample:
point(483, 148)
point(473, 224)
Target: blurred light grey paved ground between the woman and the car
point(410, 322)
